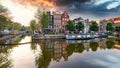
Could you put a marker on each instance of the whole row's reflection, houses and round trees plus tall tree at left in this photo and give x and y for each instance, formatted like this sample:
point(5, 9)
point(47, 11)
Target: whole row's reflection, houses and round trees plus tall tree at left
point(55, 50)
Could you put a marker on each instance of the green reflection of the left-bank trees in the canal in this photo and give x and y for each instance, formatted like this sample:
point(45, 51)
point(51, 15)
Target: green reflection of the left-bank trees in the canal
point(6, 50)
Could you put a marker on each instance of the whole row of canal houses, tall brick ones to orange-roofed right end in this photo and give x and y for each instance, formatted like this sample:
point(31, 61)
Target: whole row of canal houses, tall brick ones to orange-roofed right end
point(58, 20)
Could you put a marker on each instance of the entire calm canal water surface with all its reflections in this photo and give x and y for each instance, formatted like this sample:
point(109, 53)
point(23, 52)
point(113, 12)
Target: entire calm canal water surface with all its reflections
point(94, 53)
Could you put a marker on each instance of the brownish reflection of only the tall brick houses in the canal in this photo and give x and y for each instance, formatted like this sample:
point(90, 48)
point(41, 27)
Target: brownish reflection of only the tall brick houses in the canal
point(56, 49)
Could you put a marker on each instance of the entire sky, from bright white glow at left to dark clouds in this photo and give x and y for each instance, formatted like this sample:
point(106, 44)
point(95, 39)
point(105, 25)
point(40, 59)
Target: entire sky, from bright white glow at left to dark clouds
point(24, 10)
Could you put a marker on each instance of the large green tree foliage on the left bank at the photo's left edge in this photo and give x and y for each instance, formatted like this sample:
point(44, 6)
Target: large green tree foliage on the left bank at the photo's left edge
point(6, 23)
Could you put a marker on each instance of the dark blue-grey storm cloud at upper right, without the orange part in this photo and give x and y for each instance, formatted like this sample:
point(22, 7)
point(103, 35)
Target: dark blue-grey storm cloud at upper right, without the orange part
point(99, 9)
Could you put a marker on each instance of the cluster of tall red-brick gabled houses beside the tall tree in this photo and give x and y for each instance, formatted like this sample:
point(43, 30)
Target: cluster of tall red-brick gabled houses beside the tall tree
point(58, 21)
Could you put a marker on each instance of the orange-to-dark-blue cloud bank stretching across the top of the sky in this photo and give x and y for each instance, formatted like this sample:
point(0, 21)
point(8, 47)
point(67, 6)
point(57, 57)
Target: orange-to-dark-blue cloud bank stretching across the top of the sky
point(86, 8)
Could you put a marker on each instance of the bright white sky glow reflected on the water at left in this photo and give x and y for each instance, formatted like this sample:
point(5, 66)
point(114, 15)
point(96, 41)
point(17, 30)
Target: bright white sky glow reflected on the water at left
point(23, 56)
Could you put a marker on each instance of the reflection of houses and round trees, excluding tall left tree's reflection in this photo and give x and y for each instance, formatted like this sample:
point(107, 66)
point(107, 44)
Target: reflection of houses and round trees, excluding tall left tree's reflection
point(59, 49)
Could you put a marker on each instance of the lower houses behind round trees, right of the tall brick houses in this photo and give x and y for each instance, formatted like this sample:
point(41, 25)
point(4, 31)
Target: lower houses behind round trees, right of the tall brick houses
point(102, 23)
